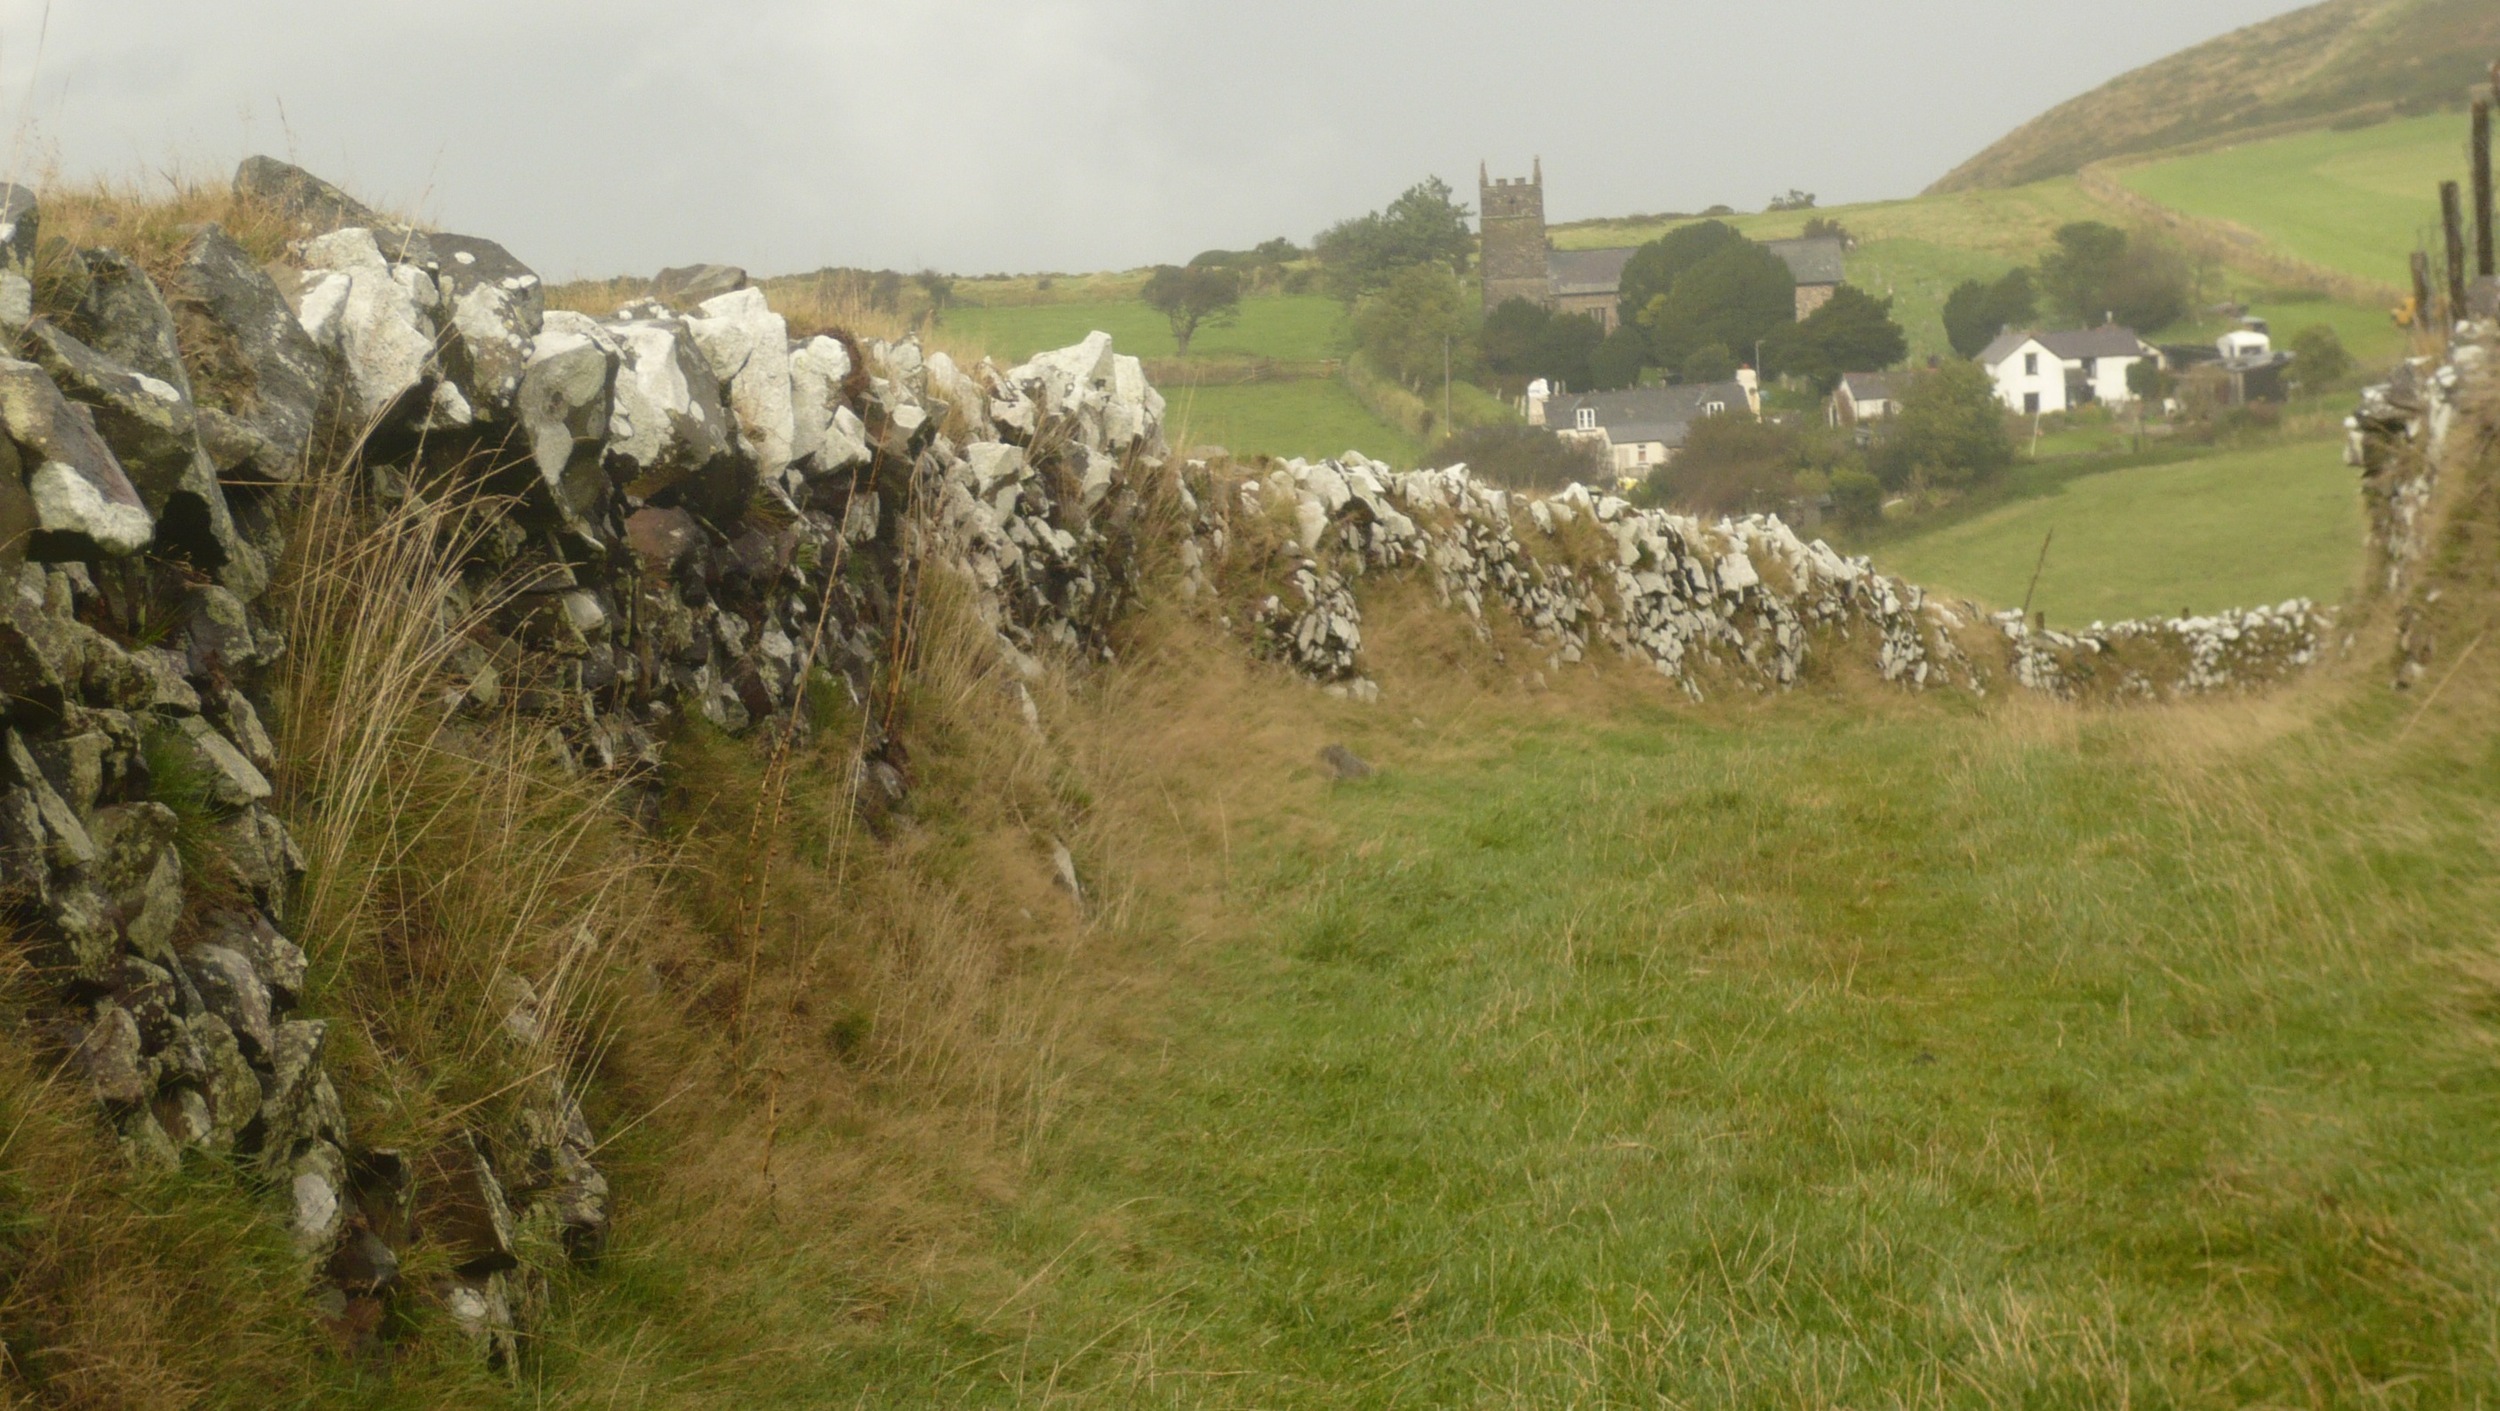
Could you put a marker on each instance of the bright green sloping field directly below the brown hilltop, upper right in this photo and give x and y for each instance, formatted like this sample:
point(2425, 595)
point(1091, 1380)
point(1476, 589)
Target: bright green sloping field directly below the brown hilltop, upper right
point(2351, 201)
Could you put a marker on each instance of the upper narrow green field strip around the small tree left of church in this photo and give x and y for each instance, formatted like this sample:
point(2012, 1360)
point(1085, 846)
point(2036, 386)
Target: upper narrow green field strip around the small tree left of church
point(1291, 329)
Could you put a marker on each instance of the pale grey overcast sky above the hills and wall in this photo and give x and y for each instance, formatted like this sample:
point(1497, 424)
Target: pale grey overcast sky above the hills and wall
point(616, 136)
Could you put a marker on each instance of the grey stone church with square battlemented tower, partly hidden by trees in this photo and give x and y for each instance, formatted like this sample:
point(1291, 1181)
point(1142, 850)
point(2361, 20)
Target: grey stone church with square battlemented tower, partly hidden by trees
point(1519, 259)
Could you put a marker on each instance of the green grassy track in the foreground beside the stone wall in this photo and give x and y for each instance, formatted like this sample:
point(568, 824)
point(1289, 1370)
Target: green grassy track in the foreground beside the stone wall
point(1804, 1057)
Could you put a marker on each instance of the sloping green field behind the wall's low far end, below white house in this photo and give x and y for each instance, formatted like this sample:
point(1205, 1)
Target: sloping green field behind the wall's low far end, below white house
point(2224, 532)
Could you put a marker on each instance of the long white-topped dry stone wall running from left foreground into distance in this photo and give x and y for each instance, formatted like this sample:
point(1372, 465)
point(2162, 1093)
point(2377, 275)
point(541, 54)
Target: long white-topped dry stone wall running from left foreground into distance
point(699, 517)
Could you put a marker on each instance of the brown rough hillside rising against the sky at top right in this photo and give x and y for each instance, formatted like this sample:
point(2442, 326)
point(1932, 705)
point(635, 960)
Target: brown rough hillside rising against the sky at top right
point(2346, 59)
